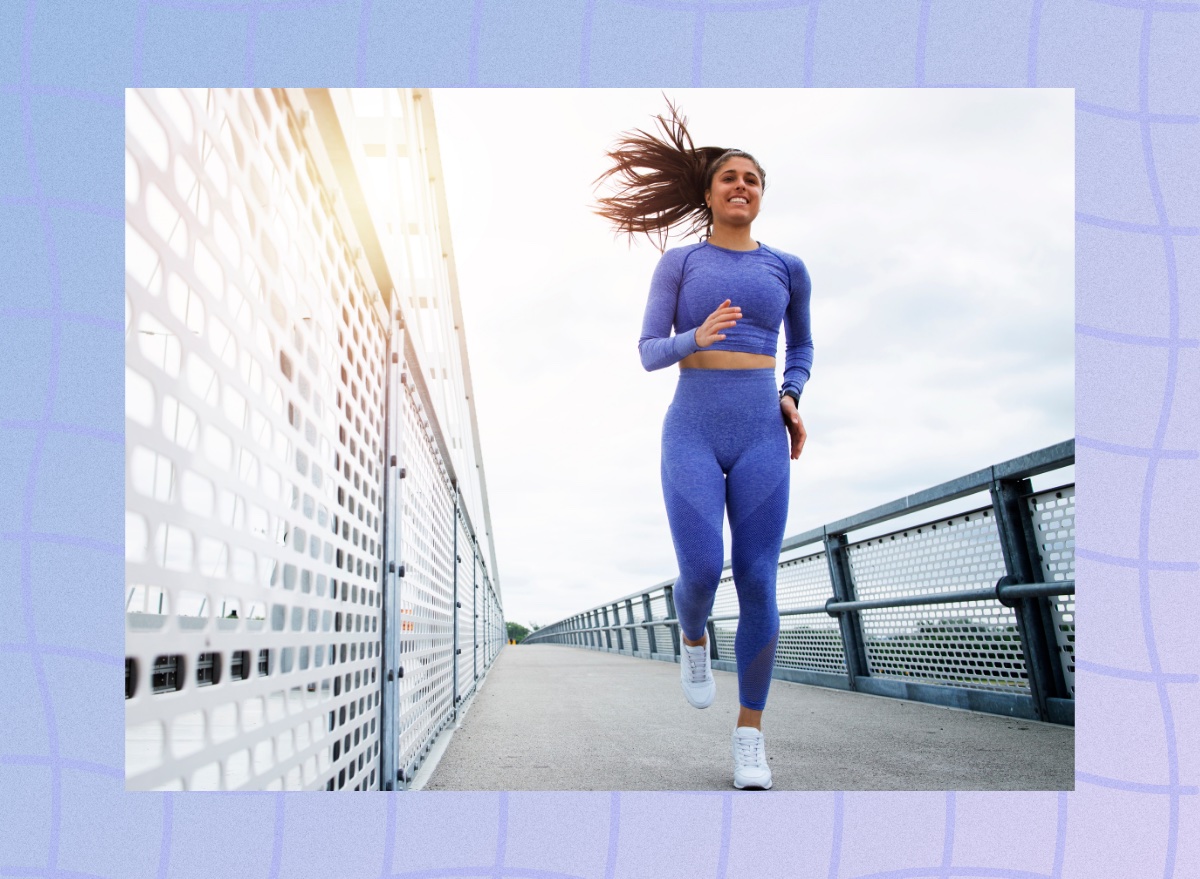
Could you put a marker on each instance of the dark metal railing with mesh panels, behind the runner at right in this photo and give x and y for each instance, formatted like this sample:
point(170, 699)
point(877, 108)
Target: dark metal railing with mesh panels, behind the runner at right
point(971, 611)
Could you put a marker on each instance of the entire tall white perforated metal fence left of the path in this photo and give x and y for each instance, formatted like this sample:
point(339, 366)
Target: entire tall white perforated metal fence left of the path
point(263, 451)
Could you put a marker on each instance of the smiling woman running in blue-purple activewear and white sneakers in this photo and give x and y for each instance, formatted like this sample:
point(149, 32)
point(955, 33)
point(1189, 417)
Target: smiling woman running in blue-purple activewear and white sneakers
point(729, 433)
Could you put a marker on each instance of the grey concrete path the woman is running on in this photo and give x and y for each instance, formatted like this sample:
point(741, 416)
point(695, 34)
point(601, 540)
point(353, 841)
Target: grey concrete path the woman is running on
point(566, 719)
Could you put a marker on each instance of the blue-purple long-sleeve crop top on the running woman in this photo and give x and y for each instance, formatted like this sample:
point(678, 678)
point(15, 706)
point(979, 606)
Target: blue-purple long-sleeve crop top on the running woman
point(770, 286)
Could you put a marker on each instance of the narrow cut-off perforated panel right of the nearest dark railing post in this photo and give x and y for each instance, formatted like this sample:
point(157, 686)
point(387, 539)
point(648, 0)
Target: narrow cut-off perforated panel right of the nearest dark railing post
point(1053, 515)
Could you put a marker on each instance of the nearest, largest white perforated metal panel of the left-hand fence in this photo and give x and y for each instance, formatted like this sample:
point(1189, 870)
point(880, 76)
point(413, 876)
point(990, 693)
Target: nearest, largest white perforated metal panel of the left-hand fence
point(254, 420)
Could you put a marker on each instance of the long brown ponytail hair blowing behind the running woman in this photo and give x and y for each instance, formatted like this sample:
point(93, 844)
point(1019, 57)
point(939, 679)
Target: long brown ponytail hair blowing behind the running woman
point(659, 182)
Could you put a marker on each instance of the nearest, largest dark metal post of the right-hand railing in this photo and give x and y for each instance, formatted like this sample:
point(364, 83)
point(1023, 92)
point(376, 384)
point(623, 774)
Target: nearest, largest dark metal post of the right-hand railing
point(1034, 619)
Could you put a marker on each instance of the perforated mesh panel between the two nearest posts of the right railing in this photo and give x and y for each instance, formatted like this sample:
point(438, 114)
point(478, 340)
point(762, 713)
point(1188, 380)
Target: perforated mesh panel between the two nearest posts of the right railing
point(967, 644)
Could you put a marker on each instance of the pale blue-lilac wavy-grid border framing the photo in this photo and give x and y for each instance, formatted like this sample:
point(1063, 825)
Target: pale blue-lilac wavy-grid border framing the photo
point(1127, 63)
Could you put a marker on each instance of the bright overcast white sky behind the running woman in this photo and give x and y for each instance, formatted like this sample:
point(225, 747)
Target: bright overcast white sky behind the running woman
point(938, 228)
